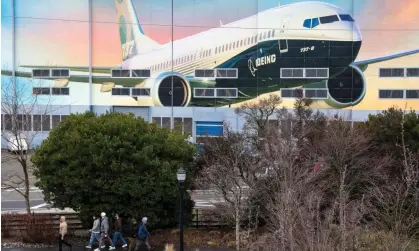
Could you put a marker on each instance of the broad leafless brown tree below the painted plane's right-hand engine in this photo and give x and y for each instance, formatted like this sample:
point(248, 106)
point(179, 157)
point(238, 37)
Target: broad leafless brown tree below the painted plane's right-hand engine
point(351, 168)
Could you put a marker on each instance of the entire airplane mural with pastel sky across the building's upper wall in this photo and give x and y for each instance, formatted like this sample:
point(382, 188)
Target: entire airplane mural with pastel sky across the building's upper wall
point(346, 54)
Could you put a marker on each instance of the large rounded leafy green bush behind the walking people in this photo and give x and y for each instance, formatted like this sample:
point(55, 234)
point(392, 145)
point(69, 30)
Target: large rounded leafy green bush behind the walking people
point(114, 163)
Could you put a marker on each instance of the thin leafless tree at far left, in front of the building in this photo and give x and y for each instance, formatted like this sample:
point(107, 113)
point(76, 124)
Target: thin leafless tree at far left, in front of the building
point(18, 104)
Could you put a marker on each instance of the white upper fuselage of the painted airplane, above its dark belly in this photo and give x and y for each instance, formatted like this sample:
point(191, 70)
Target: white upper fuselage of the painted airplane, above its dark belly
point(210, 48)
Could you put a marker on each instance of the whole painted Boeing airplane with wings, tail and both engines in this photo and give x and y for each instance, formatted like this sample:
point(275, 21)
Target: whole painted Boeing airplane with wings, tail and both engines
point(309, 44)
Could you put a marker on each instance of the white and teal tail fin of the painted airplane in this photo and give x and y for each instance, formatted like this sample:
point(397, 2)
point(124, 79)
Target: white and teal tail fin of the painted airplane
point(131, 35)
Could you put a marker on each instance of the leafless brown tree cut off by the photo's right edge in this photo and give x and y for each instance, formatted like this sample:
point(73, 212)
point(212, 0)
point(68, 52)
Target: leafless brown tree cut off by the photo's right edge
point(397, 201)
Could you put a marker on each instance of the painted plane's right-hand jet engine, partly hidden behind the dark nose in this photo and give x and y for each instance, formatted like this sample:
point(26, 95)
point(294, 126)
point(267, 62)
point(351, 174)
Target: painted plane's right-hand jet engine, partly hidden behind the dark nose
point(347, 88)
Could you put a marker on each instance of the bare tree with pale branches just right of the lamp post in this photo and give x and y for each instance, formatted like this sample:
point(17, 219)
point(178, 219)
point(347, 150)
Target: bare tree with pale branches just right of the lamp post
point(230, 169)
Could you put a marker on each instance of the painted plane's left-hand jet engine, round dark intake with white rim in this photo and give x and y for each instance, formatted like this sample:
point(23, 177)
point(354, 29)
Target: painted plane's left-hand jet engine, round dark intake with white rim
point(161, 89)
